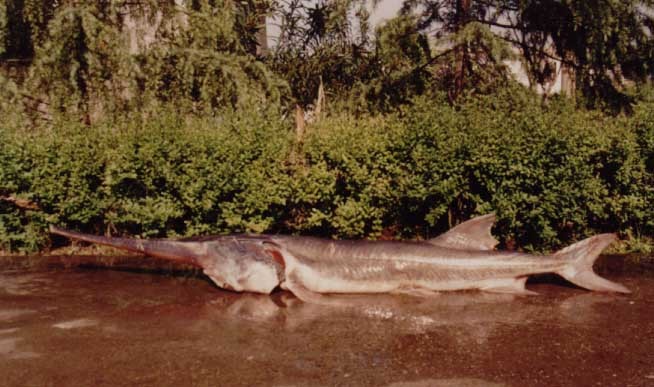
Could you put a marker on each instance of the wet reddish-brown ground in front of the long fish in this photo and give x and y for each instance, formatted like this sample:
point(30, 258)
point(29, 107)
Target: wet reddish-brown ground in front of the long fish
point(104, 327)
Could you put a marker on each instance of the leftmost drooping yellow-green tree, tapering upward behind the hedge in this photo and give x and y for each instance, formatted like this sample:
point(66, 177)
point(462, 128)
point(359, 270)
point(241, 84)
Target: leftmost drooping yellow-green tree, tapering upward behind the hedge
point(81, 67)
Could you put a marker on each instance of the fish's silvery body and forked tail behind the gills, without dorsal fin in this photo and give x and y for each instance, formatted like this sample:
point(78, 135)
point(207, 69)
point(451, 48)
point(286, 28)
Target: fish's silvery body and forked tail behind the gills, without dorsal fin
point(322, 266)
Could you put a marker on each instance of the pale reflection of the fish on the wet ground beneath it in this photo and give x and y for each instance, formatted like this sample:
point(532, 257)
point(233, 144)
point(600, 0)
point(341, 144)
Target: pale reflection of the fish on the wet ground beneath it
point(478, 314)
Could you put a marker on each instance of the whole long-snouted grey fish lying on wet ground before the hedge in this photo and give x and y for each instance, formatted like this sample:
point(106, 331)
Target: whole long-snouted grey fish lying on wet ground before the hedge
point(462, 258)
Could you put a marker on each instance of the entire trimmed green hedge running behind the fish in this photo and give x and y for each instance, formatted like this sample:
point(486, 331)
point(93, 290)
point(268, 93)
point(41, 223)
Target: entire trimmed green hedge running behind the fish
point(552, 175)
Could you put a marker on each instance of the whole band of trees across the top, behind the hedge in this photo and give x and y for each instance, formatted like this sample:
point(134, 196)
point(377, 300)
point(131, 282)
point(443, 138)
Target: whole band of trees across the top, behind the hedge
point(204, 54)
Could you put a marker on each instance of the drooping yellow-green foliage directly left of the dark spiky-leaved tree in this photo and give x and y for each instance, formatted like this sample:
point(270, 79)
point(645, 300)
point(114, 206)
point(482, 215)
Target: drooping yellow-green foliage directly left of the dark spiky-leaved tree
point(208, 61)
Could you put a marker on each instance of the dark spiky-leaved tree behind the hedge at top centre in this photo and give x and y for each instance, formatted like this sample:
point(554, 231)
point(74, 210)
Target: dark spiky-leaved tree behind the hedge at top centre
point(326, 41)
